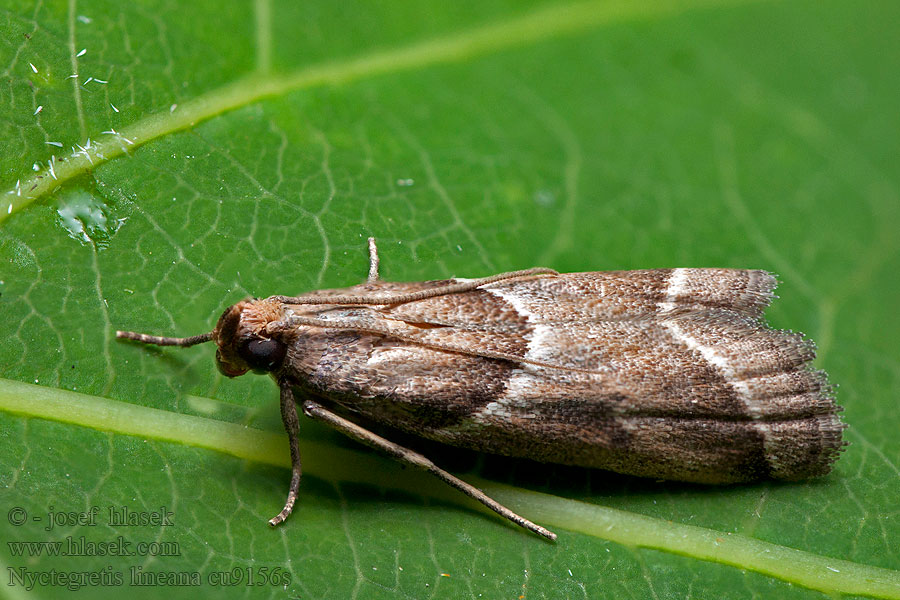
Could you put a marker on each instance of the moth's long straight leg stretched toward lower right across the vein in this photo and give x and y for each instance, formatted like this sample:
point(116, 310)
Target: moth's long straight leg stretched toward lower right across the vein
point(317, 411)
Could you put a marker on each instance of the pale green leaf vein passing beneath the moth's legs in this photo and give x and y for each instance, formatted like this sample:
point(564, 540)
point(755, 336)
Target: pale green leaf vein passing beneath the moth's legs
point(796, 566)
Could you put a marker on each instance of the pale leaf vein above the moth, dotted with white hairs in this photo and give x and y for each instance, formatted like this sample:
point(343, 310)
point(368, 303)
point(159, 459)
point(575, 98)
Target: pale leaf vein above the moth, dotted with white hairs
point(535, 26)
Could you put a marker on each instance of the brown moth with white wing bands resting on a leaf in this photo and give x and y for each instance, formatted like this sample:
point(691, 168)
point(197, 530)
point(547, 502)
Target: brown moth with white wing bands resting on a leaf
point(663, 373)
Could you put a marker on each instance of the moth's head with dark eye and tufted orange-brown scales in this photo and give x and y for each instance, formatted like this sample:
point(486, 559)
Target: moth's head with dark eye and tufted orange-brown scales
point(243, 344)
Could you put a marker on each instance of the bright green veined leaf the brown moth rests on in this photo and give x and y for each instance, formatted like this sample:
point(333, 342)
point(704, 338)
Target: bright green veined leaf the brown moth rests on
point(251, 149)
